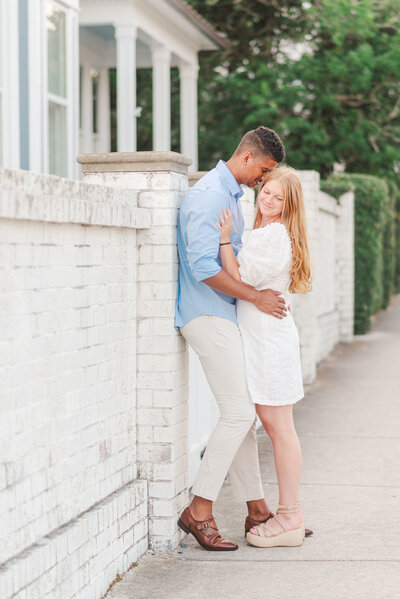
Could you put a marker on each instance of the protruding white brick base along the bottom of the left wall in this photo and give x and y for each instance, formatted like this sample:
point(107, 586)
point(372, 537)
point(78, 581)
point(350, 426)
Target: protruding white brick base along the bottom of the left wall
point(81, 558)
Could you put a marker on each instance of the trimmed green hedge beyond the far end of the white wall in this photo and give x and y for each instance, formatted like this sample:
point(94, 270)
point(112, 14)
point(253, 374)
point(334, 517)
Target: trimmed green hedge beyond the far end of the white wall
point(373, 219)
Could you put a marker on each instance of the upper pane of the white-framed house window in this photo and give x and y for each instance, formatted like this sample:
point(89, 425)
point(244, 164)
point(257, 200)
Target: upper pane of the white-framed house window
point(56, 50)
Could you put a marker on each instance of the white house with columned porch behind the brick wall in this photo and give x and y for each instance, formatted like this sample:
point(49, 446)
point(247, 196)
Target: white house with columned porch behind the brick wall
point(41, 50)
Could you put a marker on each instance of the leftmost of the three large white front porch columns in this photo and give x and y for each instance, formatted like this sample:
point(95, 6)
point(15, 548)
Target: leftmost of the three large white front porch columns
point(126, 87)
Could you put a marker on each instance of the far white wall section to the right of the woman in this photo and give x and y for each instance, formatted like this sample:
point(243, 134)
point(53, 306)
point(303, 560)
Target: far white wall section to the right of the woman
point(325, 316)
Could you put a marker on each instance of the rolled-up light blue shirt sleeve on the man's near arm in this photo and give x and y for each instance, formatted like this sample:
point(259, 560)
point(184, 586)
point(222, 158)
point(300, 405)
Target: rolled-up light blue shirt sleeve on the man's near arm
point(203, 235)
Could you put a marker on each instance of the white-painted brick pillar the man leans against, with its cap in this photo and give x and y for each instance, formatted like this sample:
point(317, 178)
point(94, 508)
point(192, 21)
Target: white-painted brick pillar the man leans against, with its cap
point(162, 360)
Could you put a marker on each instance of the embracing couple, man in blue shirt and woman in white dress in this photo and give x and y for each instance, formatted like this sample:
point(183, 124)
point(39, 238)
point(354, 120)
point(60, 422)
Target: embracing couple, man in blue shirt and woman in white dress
point(232, 308)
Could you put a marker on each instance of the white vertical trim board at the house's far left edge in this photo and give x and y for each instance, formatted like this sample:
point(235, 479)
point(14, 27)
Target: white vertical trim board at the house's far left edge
point(9, 56)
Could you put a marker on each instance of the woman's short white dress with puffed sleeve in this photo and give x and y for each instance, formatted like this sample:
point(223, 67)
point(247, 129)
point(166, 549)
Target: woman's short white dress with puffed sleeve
point(271, 345)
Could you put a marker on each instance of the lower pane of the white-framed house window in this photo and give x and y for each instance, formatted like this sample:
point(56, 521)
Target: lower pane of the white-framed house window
point(57, 140)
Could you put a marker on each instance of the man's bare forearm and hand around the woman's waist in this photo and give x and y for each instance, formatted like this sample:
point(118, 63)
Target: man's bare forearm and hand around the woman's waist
point(268, 300)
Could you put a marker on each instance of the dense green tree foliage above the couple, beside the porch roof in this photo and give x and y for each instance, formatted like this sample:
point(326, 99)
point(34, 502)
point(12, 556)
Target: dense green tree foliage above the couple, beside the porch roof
point(324, 74)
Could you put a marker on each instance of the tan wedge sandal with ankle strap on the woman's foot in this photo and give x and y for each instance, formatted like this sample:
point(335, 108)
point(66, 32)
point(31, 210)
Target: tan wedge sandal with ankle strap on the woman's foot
point(267, 537)
